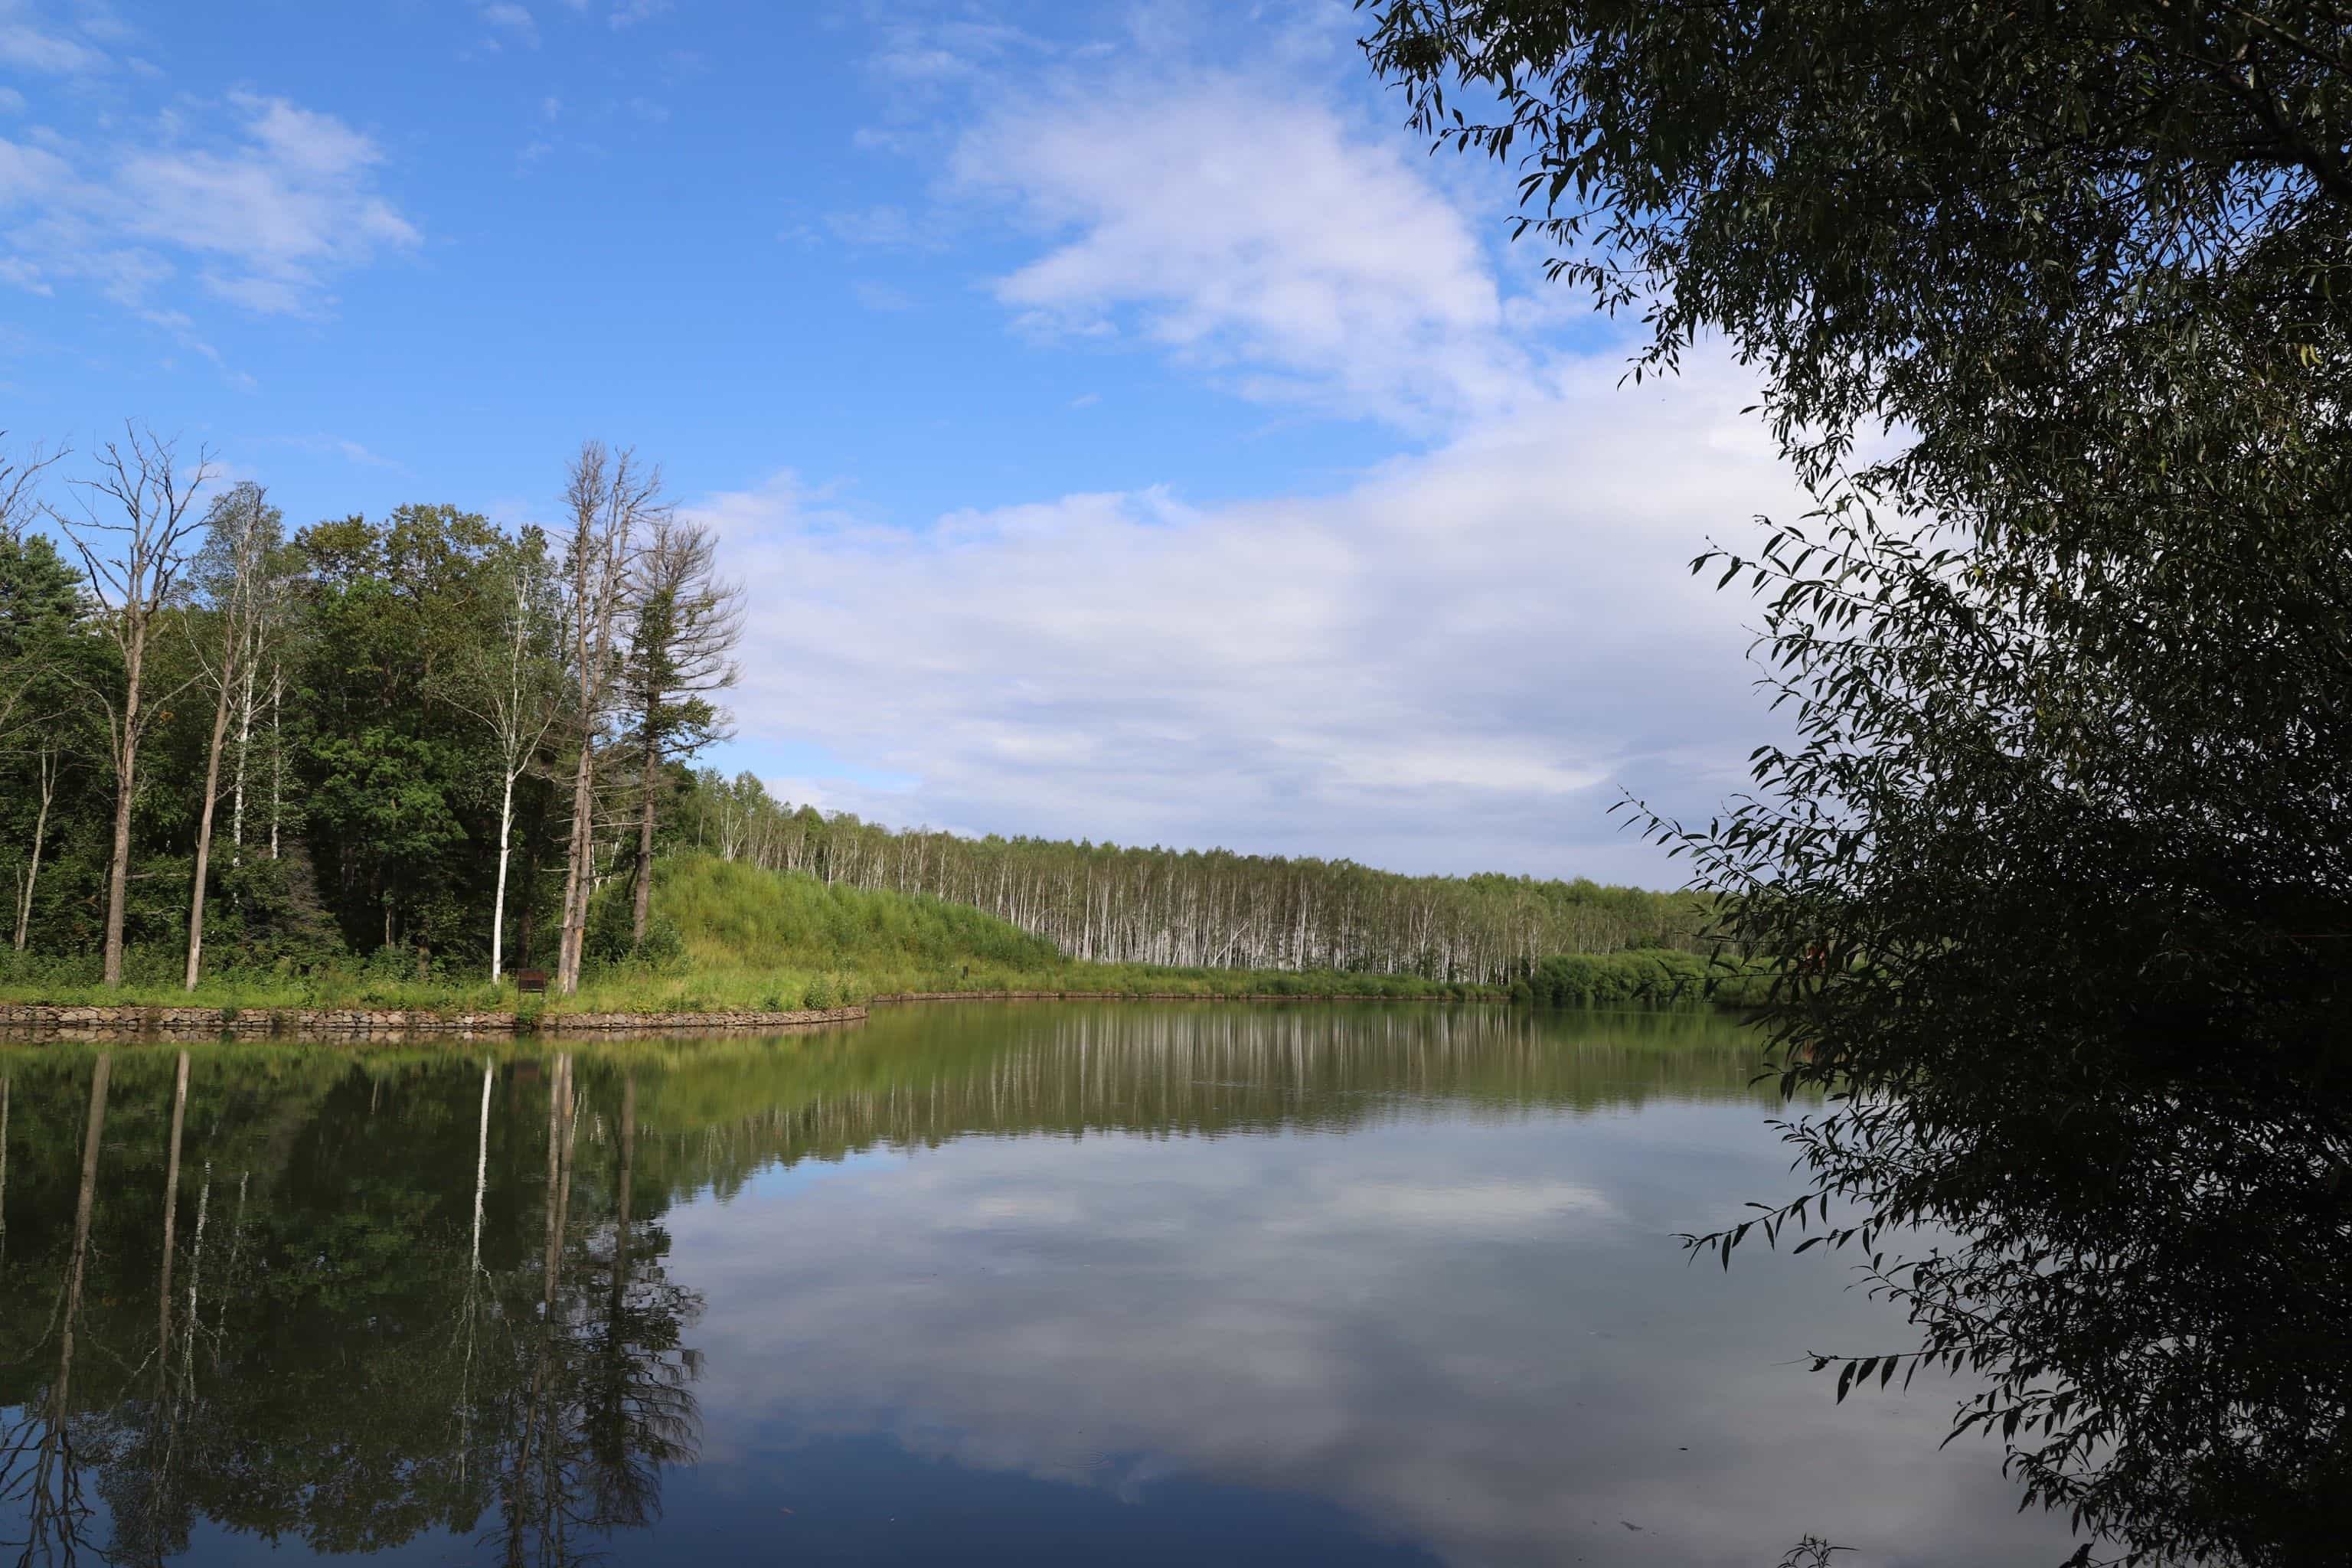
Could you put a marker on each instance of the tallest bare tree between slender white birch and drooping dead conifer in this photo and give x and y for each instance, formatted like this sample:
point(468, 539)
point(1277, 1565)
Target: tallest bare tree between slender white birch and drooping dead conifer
point(610, 502)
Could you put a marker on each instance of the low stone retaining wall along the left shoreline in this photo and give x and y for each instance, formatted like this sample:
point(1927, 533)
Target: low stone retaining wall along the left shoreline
point(375, 1024)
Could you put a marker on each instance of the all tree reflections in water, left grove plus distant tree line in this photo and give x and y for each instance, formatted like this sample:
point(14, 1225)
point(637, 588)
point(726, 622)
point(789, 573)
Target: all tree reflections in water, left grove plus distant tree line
point(347, 1301)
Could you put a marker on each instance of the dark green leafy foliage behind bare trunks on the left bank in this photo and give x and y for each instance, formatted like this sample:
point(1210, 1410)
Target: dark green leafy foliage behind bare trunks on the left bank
point(359, 791)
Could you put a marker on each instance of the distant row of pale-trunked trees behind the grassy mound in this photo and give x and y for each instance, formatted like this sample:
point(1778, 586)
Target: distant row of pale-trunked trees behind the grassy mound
point(1205, 909)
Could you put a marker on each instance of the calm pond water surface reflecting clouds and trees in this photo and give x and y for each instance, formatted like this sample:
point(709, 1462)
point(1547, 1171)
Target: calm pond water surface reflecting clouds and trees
point(994, 1285)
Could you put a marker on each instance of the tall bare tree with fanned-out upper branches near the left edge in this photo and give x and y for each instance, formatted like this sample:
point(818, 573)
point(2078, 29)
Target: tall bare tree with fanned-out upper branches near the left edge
point(133, 570)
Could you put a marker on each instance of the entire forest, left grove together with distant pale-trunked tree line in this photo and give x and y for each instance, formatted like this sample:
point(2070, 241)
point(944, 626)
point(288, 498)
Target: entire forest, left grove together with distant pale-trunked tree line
point(443, 749)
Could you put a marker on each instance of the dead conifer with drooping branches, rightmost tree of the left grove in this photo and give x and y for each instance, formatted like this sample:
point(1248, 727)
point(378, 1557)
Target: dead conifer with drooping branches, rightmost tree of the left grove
point(683, 650)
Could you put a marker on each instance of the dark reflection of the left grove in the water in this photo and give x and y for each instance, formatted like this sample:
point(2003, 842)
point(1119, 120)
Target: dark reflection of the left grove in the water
point(373, 1351)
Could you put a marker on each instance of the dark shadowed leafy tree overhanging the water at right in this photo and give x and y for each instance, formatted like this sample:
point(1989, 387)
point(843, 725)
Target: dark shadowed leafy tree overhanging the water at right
point(2057, 864)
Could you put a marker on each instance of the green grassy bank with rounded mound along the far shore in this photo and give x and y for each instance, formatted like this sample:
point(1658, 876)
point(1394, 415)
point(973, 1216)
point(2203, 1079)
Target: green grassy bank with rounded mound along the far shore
point(730, 937)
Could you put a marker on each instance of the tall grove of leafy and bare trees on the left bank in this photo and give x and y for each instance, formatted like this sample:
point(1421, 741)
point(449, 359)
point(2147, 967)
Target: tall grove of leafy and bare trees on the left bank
point(410, 737)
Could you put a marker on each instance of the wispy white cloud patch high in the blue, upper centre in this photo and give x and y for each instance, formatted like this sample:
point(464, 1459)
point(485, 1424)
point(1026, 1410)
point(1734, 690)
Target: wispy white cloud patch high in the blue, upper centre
point(1255, 236)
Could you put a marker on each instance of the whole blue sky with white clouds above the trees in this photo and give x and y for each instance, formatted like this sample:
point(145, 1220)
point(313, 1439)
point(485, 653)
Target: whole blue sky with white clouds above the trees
point(1123, 427)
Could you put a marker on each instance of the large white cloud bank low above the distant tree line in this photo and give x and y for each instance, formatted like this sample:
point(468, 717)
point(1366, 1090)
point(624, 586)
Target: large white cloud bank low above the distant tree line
point(1450, 666)
